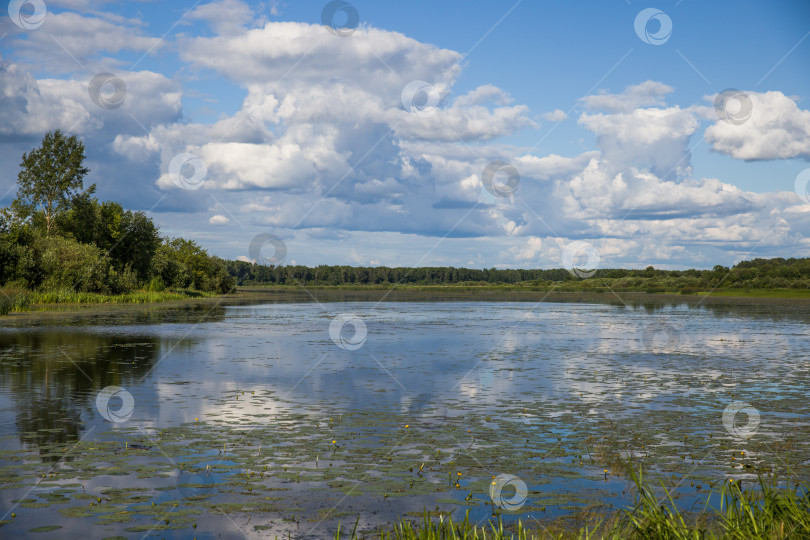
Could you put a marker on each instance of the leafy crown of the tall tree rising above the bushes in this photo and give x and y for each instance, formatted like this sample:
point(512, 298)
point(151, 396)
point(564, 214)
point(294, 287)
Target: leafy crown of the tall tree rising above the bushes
point(50, 177)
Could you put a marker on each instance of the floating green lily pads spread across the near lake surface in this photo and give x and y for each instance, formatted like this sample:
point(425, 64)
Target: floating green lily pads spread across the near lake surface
point(380, 463)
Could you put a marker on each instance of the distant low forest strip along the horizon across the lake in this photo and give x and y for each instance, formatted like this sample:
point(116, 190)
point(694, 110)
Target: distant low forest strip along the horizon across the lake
point(754, 274)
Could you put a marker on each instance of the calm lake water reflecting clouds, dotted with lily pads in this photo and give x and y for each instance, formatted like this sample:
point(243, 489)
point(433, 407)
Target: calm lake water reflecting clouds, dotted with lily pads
point(267, 419)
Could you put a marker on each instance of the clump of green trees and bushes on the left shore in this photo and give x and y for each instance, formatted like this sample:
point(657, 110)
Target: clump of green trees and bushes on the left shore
point(56, 235)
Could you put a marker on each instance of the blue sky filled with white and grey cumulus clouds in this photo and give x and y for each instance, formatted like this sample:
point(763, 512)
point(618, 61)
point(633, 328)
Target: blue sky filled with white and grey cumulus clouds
point(521, 134)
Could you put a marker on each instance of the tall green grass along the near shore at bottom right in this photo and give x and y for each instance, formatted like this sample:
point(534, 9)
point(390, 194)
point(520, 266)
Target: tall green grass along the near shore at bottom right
point(767, 513)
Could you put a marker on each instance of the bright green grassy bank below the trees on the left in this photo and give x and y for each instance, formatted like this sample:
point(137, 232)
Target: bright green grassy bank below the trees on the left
point(17, 300)
